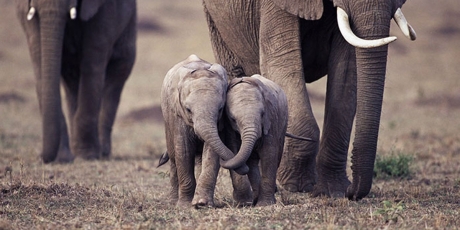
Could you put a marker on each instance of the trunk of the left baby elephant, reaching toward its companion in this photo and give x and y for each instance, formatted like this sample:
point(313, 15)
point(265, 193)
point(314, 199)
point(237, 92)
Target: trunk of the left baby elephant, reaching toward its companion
point(208, 132)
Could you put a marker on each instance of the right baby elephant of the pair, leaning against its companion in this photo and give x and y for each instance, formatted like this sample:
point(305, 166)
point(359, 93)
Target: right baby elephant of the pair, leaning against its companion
point(255, 125)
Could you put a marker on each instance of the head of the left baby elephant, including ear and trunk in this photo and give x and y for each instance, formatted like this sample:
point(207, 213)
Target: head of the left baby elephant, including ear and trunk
point(199, 100)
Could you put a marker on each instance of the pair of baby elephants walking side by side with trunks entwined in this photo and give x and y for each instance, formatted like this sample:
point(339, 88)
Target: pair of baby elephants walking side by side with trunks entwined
point(207, 116)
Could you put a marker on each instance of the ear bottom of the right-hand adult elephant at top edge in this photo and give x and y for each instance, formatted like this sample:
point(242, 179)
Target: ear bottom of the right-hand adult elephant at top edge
point(307, 9)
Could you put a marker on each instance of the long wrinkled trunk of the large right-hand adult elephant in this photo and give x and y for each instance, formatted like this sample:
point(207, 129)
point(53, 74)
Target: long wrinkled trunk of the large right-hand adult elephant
point(371, 70)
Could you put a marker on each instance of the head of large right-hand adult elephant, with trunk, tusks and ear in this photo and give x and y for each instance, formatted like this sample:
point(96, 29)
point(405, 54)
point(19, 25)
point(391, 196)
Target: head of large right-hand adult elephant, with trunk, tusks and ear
point(365, 24)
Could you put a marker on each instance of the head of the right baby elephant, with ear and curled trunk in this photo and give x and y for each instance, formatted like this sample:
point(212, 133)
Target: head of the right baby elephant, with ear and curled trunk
point(252, 111)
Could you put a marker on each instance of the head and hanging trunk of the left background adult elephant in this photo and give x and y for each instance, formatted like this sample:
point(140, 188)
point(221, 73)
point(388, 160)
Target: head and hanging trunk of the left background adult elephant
point(44, 24)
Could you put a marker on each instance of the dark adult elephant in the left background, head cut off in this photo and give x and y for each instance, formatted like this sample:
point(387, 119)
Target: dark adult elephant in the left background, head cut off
point(93, 54)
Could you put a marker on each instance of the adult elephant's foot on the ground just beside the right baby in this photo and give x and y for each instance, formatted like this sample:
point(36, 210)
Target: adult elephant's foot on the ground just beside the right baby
point(297, 175)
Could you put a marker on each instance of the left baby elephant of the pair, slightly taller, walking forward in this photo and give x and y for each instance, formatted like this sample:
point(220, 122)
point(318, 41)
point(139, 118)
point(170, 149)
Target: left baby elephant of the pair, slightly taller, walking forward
point(192, 101)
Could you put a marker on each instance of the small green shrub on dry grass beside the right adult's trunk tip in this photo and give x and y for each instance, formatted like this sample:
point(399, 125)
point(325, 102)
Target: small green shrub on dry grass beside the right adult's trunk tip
point(393, 166)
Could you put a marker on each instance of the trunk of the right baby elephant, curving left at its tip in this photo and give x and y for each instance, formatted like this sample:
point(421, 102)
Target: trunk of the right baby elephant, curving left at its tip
point(248, 140)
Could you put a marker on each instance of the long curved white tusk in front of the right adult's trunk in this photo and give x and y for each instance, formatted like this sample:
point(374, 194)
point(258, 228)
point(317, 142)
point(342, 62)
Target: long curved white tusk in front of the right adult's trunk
point(350, 37)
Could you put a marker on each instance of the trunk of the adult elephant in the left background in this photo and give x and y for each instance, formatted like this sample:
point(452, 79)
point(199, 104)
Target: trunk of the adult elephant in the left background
point(52, 24)
